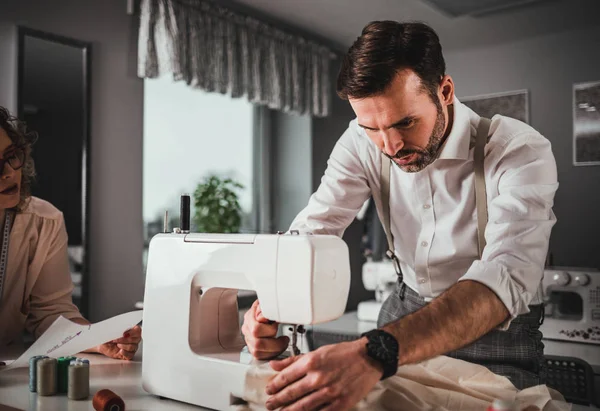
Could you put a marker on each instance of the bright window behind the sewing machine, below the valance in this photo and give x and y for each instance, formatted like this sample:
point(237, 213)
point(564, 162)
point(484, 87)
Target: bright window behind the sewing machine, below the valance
point(188, 134)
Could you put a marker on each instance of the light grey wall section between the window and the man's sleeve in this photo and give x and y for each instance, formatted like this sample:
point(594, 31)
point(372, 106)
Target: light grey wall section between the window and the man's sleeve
point(292, 158)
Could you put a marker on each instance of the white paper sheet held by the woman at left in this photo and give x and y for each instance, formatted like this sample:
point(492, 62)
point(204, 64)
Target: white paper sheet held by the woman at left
point(65, 337)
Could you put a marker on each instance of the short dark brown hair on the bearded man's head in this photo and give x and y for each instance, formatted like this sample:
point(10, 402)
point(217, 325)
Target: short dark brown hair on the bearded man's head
point(384, 48)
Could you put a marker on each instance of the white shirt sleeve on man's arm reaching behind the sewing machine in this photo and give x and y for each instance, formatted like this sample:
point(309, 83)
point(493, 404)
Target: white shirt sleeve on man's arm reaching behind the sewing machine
point(343, 191)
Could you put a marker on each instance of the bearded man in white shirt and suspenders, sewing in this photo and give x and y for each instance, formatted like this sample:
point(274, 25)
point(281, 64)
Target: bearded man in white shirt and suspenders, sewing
point(449, 300)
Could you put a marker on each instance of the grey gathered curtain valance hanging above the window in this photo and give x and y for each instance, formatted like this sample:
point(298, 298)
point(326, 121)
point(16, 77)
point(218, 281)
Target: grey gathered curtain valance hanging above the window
point(215, 49)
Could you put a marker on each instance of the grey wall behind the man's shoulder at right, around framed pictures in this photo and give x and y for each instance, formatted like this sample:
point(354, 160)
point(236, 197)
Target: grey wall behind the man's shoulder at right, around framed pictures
point(547, 66)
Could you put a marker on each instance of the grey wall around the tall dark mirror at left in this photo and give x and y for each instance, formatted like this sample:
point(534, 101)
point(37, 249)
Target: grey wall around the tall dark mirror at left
point(116, 281)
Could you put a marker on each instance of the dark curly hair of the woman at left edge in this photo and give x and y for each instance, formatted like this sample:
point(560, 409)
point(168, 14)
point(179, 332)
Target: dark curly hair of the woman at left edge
point(19, 134)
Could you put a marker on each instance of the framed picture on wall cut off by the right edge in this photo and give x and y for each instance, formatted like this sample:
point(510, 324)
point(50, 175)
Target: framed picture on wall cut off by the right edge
point(586, 124)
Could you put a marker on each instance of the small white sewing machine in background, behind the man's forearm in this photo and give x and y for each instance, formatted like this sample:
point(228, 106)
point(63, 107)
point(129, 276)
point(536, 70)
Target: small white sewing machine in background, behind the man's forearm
point(378, 276)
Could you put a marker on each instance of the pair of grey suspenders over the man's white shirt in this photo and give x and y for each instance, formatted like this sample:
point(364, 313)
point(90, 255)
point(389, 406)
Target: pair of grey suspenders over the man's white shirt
point(483, 131)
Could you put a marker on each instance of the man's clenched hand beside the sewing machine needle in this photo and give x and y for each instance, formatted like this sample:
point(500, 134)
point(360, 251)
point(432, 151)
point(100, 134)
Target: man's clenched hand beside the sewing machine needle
point(260, 333)
